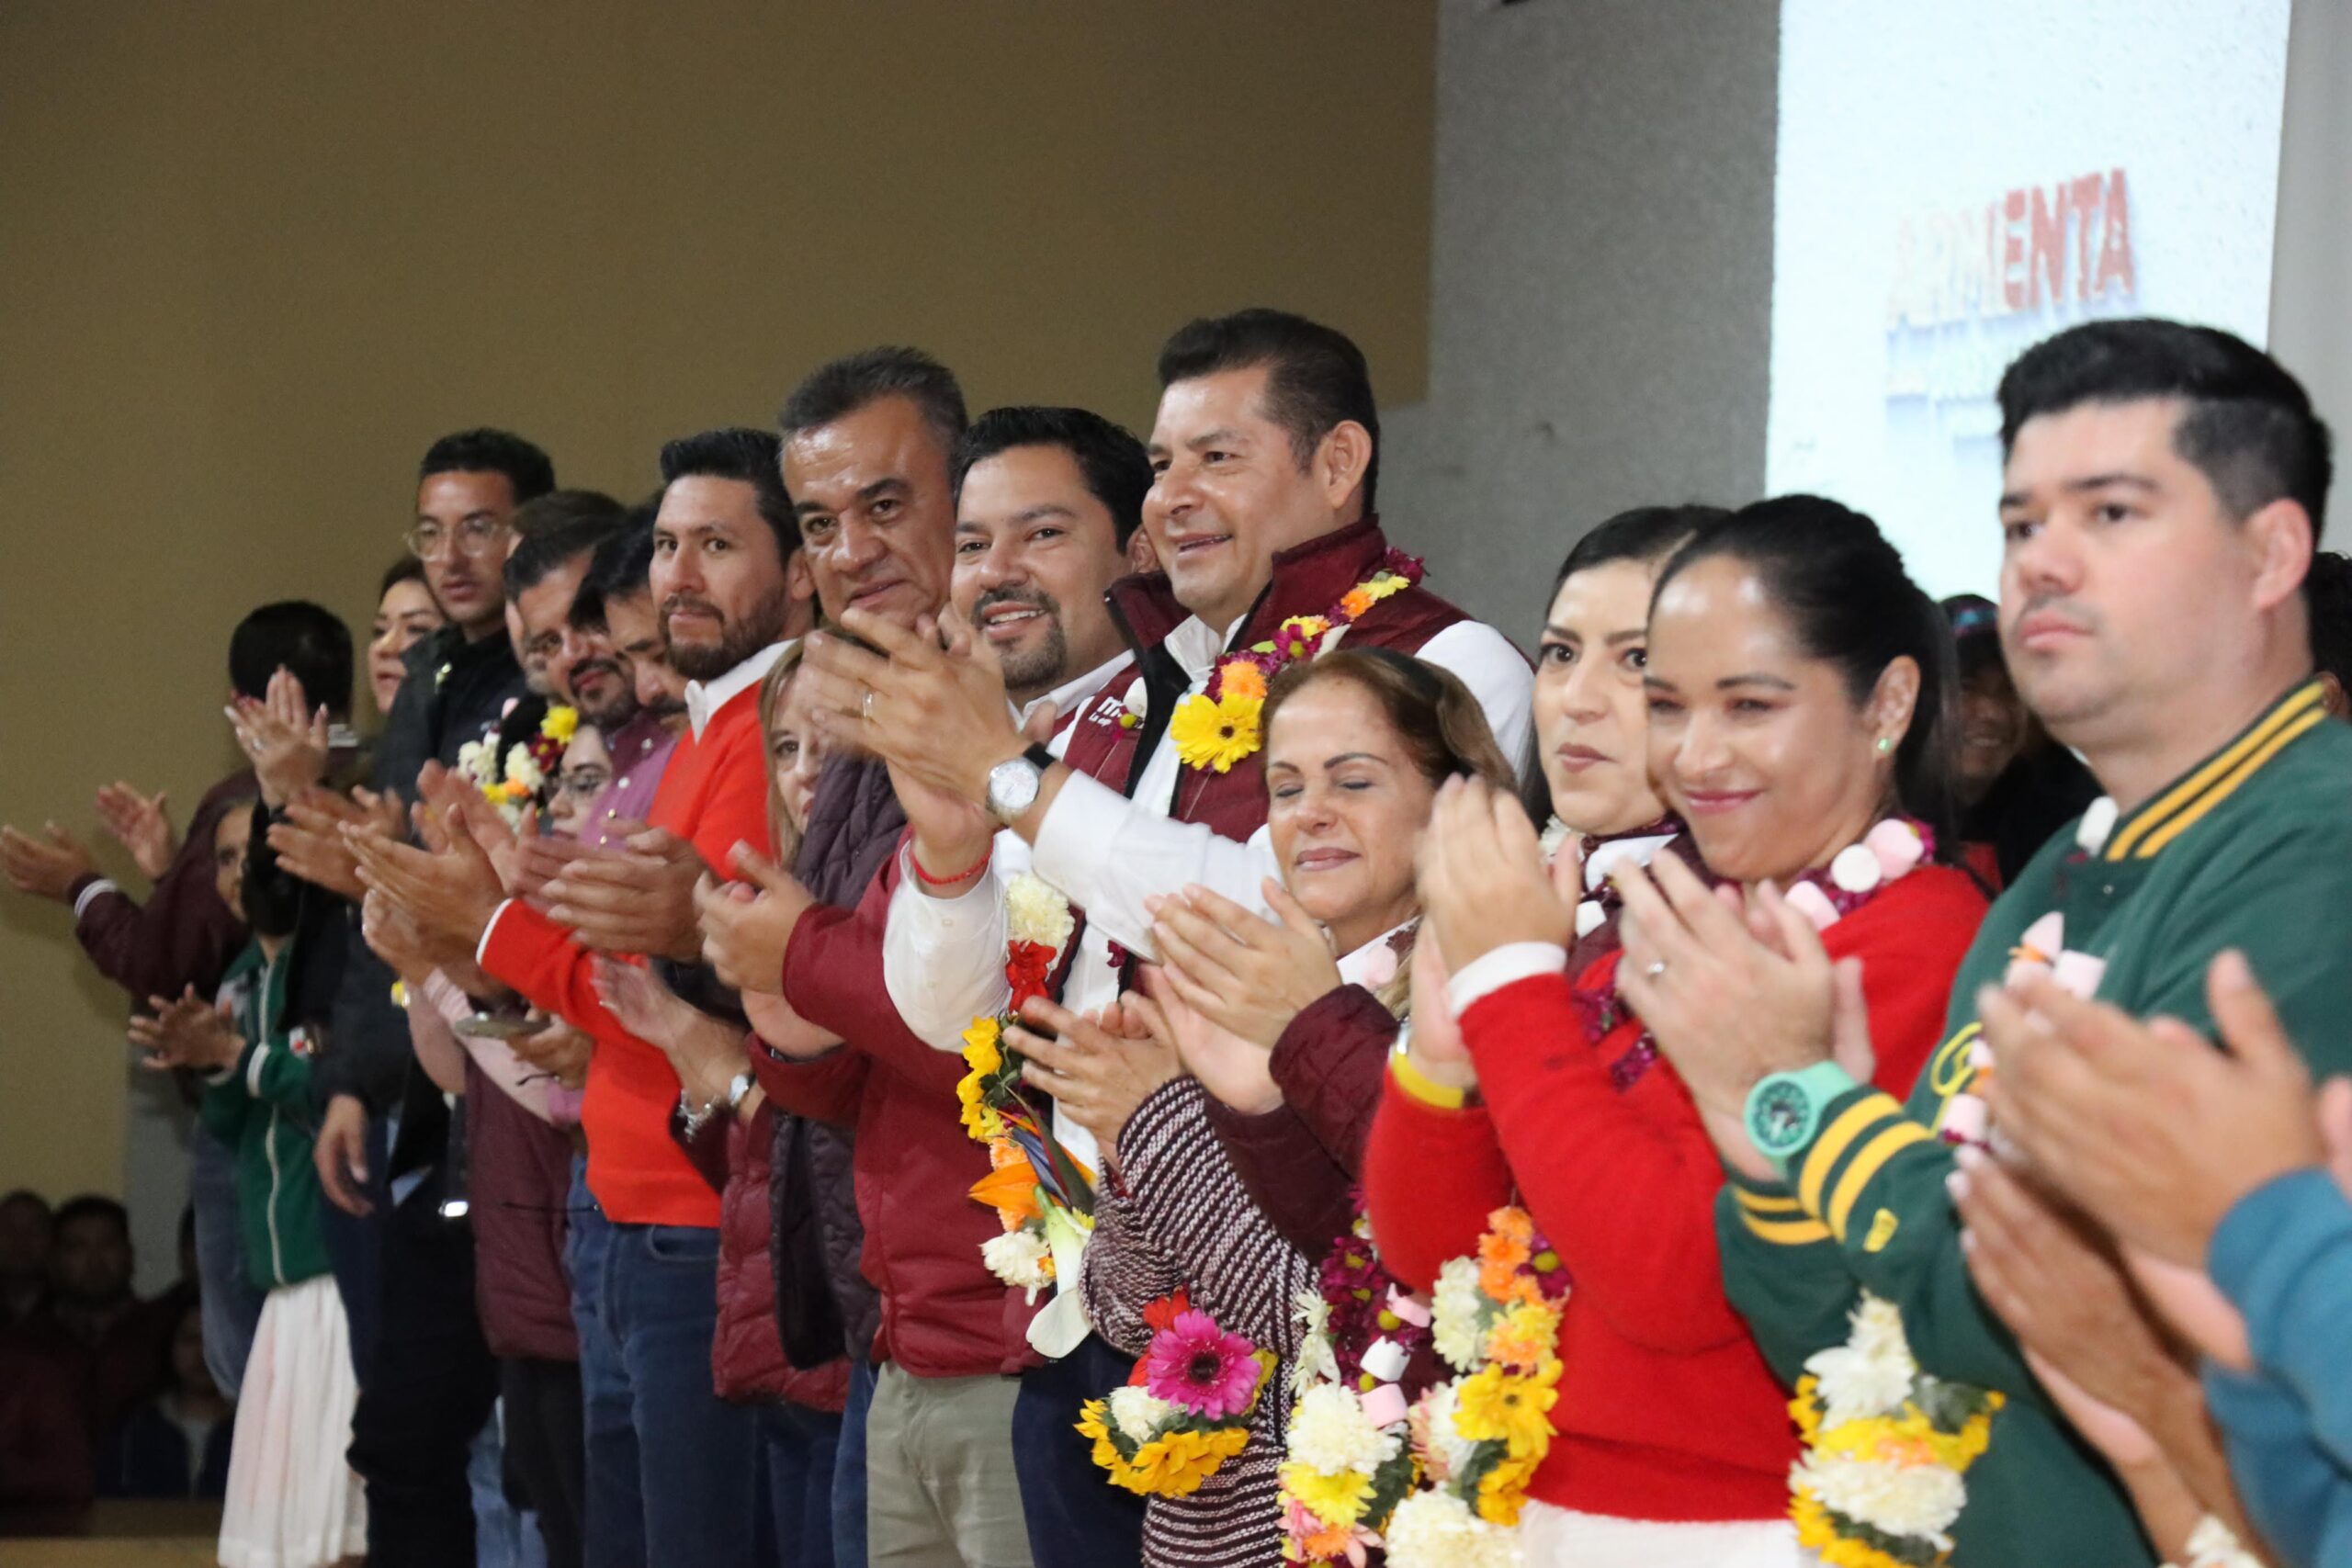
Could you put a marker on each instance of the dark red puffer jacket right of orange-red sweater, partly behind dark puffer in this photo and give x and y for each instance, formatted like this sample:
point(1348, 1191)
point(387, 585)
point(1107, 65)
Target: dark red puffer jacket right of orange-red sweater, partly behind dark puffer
point(747, 1358)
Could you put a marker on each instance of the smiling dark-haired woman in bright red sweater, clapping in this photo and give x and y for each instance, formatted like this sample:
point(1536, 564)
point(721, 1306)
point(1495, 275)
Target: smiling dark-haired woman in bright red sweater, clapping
point(1798, 721)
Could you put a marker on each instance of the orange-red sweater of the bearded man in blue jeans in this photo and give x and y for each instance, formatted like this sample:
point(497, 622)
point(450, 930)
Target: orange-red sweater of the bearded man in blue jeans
point(716, 796)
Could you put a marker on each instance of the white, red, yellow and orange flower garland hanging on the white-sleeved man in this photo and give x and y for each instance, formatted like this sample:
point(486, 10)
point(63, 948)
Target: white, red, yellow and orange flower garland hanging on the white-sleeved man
point(1041, 1193)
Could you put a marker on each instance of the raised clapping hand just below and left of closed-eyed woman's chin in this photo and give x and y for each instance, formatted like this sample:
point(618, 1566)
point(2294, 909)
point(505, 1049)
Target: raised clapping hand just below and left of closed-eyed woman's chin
point(1238, 970)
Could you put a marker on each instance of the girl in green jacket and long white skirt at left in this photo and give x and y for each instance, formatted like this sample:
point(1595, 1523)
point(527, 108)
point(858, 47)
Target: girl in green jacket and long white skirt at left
point(293, 1499)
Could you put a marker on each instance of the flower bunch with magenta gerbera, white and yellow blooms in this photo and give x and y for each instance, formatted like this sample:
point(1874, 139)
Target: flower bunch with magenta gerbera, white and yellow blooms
point(1187, 1407)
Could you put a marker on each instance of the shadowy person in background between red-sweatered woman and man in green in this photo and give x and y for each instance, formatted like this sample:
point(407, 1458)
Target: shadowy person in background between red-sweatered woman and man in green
point(2017, 786)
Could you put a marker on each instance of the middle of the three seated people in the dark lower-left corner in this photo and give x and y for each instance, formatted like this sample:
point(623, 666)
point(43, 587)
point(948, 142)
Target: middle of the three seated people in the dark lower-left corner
point(114, 1346)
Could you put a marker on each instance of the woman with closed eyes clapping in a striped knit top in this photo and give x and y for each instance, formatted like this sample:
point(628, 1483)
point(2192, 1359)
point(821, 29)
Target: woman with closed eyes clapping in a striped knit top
point(1356, 749)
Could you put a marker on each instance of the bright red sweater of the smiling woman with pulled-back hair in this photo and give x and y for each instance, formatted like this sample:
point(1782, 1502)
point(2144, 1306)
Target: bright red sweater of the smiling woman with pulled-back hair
point(1666, 1407)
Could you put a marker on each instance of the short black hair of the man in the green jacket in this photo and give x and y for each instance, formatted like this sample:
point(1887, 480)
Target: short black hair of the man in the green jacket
point(2250, 427)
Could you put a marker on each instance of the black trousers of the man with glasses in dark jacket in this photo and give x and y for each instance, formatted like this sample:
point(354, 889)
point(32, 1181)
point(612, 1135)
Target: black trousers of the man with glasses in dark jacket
point(425, 1395)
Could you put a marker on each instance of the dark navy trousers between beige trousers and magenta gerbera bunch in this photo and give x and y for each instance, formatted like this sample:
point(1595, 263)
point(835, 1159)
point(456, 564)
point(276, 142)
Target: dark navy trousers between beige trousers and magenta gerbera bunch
point(1074, 1517)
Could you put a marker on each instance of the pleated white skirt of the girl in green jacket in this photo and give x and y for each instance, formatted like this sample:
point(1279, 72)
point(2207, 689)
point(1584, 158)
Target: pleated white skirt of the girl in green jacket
point(293, 1496)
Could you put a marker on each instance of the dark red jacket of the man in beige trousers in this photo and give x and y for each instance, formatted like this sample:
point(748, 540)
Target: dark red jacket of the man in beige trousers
point(942, 1311)
